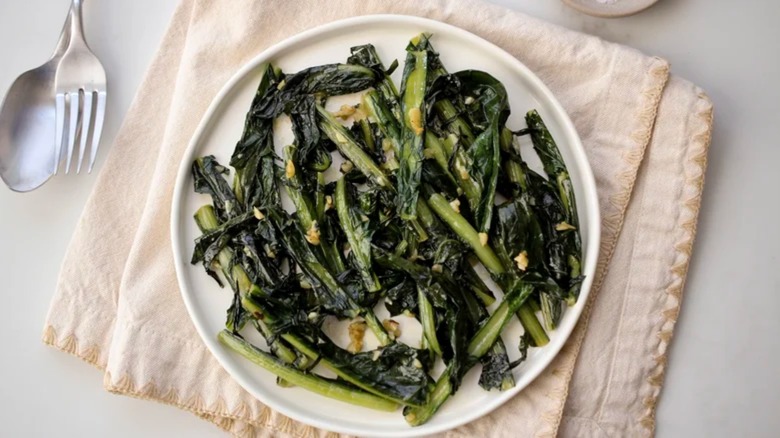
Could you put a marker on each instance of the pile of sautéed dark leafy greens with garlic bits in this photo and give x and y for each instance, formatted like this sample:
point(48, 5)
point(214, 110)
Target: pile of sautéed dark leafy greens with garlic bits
point(433, 184)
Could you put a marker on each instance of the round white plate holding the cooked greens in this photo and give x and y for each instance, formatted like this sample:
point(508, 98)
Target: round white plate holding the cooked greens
point(220, 129)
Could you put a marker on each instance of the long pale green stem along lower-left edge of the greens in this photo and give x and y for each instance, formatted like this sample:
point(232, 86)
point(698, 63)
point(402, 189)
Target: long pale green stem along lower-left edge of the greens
point(307, 381)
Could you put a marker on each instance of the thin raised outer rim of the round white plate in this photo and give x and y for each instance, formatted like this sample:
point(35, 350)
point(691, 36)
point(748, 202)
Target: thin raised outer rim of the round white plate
point(577, 150)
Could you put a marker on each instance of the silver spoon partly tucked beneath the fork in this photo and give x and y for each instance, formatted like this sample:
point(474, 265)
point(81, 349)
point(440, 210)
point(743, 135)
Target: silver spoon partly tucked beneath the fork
point(27, 124)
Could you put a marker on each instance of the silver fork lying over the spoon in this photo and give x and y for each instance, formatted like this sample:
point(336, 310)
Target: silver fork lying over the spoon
point(81, 88)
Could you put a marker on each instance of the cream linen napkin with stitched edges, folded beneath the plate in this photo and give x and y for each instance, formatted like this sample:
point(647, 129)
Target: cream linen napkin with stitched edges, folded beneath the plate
point(117, 304)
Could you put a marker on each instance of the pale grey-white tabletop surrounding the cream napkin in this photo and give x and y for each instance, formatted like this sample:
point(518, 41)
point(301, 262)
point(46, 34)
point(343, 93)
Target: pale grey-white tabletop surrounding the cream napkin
point(724, 377)
